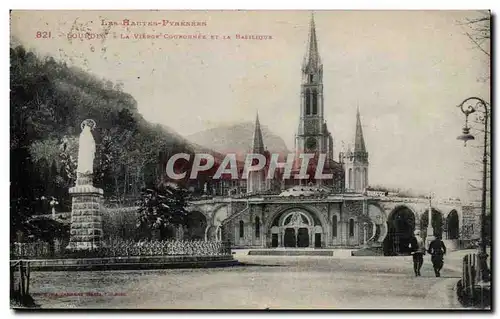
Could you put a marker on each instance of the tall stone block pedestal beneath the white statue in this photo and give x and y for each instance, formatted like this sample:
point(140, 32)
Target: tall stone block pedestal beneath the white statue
point(86, 217)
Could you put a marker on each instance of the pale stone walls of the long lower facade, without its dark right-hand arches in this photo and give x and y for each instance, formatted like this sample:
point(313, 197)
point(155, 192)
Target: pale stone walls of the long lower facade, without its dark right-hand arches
point(326, 221)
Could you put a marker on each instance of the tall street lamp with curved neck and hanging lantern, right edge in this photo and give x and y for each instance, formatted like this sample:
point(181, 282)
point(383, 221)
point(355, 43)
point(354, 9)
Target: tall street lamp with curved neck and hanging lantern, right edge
point(469, 106)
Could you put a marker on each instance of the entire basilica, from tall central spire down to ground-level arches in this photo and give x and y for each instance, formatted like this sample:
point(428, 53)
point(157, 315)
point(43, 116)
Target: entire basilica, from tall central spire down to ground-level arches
point(261, 212)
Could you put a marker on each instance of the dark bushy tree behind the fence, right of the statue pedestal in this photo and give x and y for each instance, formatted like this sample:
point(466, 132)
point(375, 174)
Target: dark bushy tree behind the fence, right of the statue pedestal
point(160, 208)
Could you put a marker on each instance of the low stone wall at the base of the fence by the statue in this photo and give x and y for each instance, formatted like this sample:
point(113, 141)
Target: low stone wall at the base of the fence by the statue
point(130, 263)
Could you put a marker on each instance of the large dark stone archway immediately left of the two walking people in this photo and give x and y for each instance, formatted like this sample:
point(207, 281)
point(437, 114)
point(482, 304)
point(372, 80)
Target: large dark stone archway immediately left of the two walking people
point(400, 226)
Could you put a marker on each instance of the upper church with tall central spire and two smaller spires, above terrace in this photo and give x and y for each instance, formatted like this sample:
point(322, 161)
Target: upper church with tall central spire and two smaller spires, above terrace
point(348, 174)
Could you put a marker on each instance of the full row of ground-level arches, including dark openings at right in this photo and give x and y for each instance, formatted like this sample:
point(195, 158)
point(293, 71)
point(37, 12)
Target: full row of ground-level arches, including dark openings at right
point(302, 228)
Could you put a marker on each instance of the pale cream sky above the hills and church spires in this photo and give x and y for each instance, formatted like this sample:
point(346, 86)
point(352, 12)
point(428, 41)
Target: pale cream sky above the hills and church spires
point(405, 70)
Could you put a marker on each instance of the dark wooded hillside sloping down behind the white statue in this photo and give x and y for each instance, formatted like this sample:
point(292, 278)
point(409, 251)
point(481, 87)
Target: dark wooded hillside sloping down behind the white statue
point(48, 101)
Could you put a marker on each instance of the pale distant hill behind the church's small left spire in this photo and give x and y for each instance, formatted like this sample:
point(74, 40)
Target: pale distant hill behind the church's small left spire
point(237, 139)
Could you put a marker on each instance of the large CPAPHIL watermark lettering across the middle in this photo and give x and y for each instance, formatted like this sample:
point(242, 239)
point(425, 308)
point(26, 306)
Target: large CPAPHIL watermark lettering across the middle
point(202, 162)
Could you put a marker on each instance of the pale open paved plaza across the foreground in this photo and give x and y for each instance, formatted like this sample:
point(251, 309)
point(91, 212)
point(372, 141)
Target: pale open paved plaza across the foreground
point(262, 282)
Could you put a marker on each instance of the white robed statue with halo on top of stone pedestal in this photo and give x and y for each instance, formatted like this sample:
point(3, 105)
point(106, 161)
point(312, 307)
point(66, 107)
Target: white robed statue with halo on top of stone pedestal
point(86, 148)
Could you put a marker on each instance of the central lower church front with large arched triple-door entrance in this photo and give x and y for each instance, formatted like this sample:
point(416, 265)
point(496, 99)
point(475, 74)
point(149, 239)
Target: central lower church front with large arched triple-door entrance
point(301, 226)
